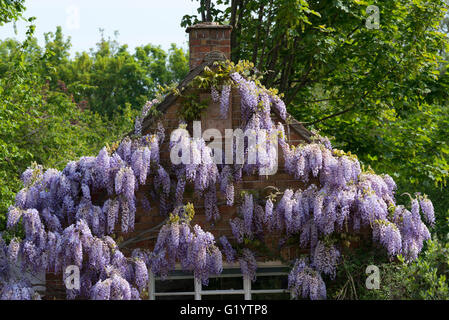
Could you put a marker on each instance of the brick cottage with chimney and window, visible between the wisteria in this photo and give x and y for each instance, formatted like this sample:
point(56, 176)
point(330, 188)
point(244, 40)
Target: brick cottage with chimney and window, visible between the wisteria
point(208, 44)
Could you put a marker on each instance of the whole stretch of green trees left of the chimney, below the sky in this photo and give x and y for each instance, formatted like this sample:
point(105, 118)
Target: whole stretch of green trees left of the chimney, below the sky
point(54, 108)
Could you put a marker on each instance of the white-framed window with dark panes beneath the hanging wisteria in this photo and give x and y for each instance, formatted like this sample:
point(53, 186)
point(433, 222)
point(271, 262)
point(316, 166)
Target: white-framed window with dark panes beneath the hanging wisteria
point(270, 284)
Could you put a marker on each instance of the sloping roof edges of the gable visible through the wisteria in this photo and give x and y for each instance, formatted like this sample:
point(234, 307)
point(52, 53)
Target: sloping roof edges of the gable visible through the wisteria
point(209, 62)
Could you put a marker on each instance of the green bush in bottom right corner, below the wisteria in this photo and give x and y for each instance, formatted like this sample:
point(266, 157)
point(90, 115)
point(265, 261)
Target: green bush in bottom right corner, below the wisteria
point(424, 279)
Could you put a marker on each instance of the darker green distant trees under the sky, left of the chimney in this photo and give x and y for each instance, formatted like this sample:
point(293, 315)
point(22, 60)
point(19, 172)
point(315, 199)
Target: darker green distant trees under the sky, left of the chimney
point(110, 76)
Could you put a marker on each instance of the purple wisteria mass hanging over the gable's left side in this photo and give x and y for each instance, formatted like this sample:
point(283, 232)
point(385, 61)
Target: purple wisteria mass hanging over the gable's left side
point(64, 226)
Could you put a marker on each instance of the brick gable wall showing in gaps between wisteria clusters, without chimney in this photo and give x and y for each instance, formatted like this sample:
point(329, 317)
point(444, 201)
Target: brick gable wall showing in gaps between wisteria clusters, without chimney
point(255, 183)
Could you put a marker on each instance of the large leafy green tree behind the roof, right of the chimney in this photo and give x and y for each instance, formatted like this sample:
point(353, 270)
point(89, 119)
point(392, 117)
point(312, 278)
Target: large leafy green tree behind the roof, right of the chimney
point(382, 93)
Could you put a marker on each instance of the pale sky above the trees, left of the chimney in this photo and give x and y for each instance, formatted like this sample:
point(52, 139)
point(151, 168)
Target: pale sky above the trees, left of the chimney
point(139, 22)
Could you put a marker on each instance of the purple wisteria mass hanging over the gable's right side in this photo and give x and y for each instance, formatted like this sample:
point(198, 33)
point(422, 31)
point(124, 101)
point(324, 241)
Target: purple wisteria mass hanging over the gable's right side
point(343, 199)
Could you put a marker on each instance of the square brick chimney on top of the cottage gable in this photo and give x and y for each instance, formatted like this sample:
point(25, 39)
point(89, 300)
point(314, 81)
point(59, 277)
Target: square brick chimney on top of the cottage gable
point(207, 37)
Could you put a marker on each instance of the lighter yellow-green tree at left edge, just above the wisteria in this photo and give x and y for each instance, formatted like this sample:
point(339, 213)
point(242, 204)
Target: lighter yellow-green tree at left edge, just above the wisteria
point(38, 122)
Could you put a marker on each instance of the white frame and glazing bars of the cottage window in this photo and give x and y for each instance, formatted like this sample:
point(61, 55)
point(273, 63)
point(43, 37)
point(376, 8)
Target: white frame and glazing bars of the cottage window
point(198, 292)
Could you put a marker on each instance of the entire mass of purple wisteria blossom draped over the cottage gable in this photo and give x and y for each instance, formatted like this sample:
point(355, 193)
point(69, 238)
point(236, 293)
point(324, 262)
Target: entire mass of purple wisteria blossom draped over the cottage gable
point(65, 224)
